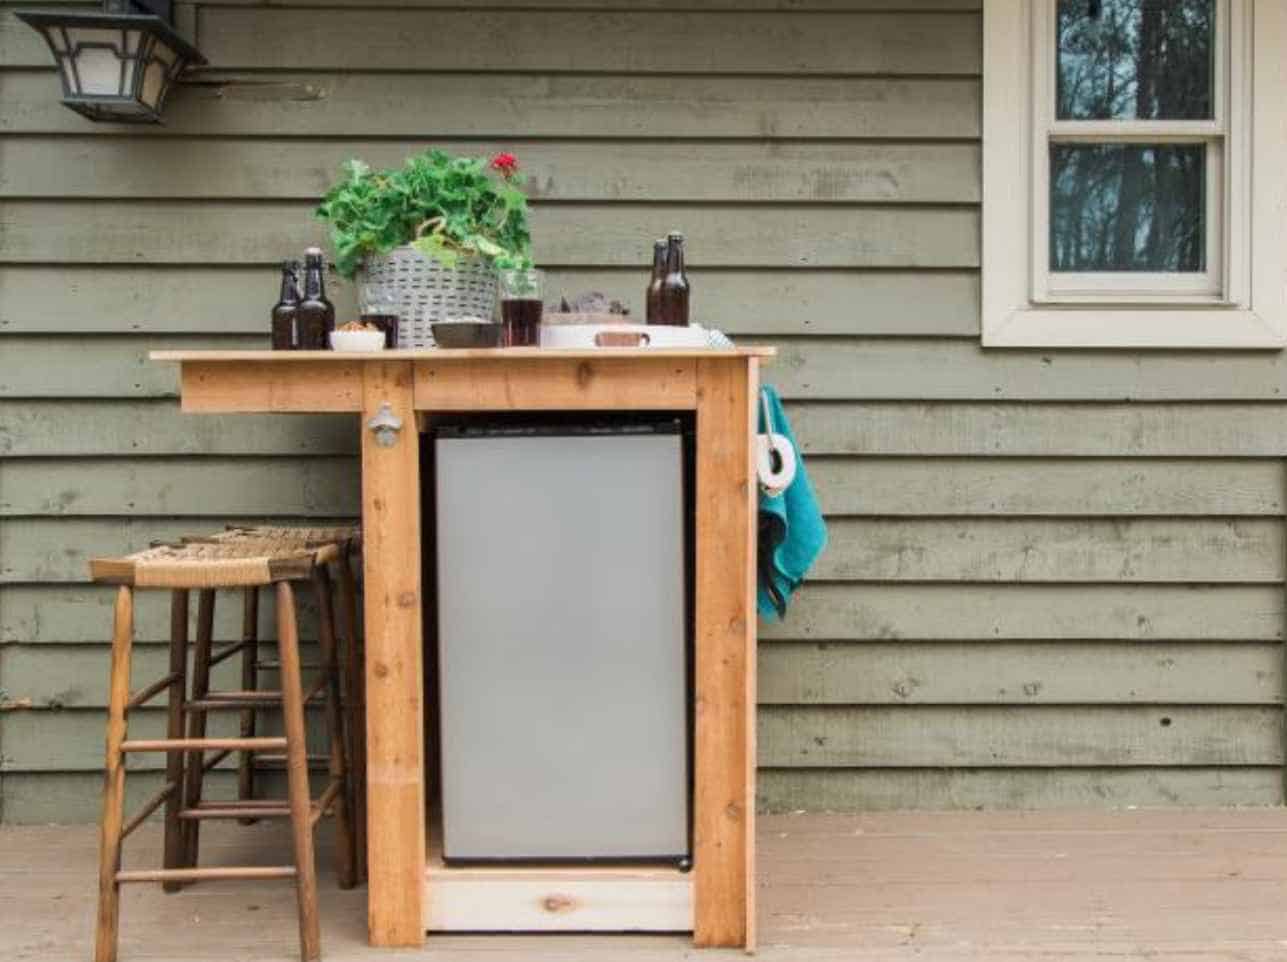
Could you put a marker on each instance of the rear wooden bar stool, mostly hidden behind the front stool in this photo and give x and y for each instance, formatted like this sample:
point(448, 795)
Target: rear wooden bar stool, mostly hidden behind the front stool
point(347, 542)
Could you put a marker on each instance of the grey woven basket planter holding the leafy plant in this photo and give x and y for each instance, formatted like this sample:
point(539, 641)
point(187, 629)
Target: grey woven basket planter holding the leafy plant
point(428, 292)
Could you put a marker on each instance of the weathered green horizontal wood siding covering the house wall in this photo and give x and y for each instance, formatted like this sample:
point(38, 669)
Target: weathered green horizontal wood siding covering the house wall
point(1055, 578)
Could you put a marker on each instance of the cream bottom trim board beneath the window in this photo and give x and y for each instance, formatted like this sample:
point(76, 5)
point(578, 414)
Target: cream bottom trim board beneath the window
point(1136, 329)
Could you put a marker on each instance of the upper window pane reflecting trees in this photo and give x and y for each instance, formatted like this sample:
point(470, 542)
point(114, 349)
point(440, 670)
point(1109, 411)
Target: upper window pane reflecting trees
point(1134, 60)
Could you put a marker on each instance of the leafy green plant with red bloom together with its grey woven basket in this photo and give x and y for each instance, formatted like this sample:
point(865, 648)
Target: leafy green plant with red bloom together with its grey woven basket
point(433, 234)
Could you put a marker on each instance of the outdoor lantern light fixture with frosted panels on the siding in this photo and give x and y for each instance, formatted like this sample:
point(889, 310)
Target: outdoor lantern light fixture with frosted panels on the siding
point(118, 64)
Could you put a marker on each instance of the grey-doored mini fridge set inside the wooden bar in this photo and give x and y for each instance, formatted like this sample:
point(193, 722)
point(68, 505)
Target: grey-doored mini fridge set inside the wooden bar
point(563, 655)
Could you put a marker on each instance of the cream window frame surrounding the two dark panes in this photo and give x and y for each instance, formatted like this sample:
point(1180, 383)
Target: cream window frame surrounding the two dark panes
point(1241, 301)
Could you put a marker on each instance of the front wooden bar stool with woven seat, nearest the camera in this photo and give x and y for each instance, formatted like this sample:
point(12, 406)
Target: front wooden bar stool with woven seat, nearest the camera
point(207, 569)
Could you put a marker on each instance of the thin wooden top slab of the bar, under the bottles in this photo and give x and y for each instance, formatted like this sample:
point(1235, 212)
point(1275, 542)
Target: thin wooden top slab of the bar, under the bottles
point(344, 357)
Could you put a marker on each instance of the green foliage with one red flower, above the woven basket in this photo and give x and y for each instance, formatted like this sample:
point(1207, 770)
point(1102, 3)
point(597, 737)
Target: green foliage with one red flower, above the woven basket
point(447, 208)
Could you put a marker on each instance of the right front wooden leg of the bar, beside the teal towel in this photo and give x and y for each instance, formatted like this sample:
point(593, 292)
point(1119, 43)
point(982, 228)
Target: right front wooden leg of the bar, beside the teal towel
point(725, 737)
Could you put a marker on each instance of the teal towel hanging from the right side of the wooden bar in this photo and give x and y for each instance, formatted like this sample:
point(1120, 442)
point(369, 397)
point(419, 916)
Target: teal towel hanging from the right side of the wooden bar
point(792, 531)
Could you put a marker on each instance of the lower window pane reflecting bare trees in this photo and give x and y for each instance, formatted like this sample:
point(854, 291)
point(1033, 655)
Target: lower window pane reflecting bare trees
point(1128, 208)
